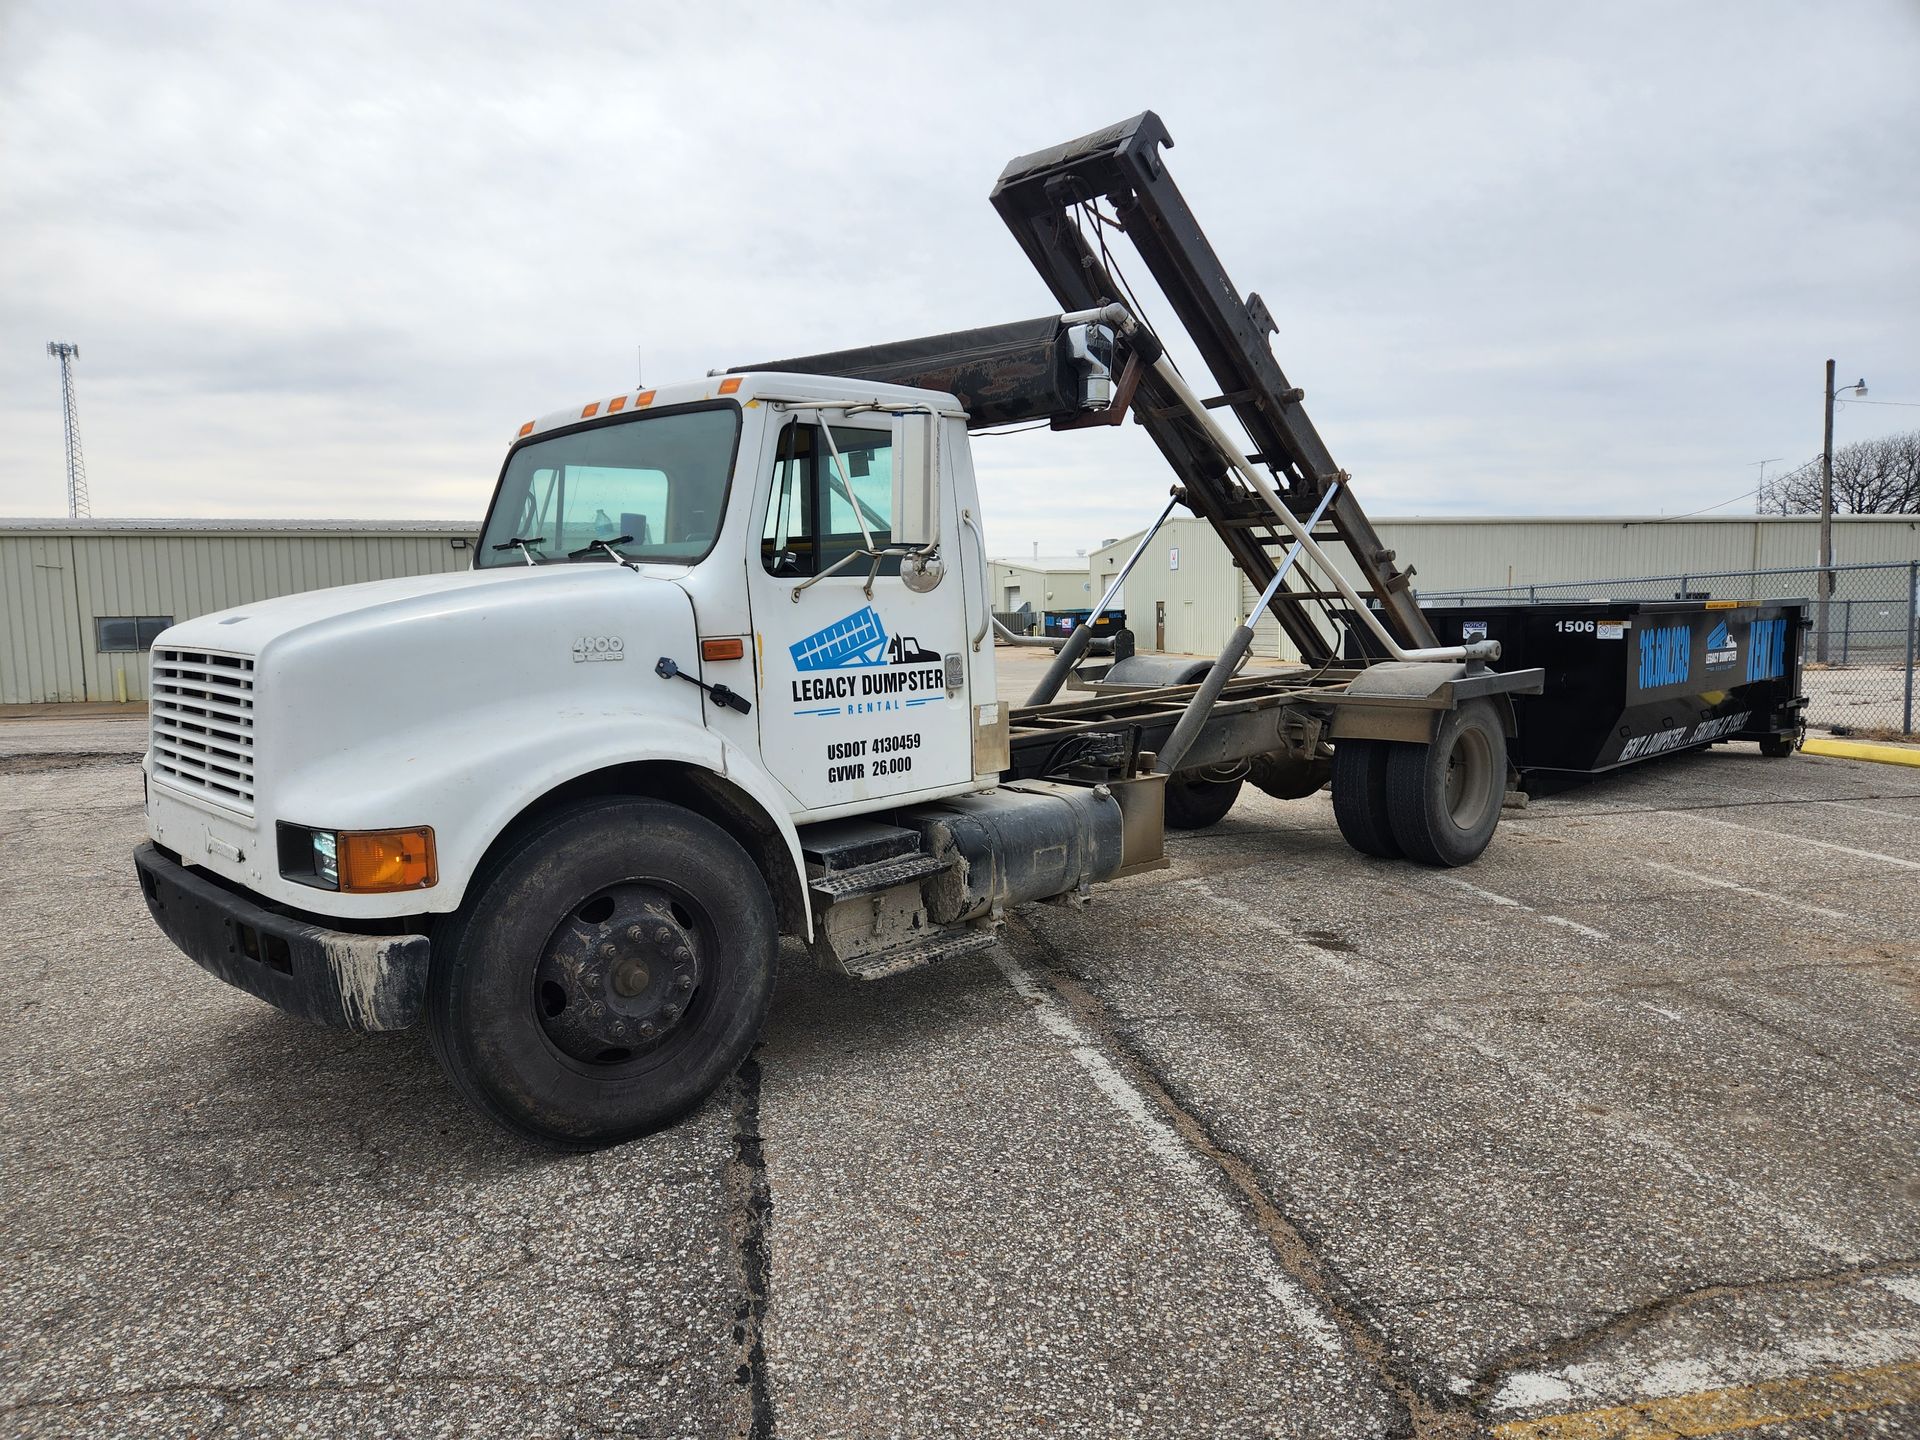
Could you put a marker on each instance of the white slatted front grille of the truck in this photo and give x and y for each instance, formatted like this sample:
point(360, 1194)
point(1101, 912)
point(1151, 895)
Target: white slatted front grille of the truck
point(201, 717)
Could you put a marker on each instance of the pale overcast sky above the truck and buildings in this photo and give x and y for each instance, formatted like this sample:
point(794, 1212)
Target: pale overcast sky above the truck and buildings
point(325, 260)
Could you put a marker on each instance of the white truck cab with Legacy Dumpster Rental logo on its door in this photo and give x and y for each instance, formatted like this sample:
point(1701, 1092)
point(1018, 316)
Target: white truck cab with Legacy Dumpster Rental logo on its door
point(828, 554)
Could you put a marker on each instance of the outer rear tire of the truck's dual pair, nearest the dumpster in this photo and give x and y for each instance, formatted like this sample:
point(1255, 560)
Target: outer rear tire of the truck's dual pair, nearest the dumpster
point(1443, 800)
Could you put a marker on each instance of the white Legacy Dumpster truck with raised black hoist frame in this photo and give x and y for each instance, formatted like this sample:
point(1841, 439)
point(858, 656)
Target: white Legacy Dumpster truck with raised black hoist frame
point(725, 671)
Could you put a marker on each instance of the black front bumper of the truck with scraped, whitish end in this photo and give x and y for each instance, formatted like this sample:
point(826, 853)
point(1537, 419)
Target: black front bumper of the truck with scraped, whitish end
point(329, 976)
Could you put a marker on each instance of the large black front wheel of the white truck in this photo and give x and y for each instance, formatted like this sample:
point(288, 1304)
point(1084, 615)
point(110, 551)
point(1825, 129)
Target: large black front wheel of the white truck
point(608, 972)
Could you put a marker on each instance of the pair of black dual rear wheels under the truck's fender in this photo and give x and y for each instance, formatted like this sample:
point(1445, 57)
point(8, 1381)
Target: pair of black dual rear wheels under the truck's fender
point(1433, 804)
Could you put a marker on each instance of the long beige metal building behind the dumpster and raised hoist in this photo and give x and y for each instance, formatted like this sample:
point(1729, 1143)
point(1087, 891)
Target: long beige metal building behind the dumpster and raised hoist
point(1188, 596)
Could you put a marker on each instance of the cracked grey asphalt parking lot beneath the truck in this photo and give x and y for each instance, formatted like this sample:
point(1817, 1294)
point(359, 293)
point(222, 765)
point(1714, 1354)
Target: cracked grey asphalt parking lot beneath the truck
point(1608, 1136)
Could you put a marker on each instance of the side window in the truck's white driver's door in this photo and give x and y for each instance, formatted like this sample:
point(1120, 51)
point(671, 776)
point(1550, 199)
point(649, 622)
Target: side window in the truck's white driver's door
point(817, 506)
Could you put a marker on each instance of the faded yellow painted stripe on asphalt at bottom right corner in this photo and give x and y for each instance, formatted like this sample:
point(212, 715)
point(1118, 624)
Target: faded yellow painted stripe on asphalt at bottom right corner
point(1731, 1410)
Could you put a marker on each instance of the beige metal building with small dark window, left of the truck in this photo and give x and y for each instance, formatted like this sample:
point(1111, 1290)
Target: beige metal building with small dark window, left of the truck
point(84, 600)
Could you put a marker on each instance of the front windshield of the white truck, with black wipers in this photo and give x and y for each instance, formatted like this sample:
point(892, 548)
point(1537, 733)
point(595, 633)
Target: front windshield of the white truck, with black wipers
point(660, 481)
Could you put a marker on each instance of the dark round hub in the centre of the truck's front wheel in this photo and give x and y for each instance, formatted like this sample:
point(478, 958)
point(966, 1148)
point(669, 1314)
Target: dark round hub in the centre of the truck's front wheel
point(617, 974)
